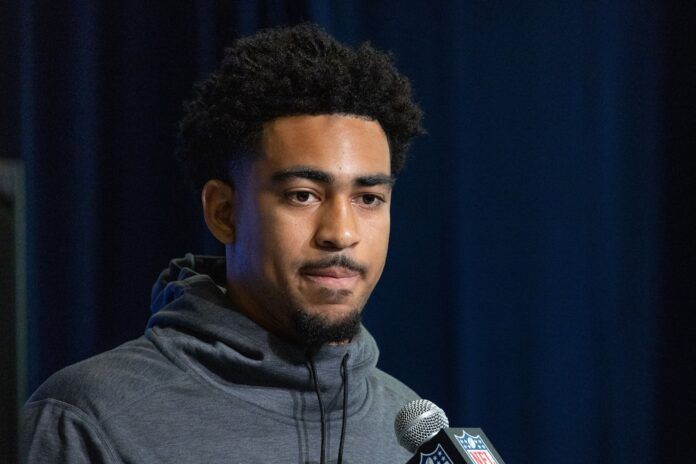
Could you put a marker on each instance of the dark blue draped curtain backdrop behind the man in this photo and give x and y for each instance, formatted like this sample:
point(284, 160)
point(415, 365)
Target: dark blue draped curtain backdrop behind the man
point(540, 283)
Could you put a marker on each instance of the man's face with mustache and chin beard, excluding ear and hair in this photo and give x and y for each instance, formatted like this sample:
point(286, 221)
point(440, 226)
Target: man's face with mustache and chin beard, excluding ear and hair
point(312, 225)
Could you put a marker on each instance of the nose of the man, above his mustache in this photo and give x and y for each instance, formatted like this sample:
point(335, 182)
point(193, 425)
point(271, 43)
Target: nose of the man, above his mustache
point(337, 228)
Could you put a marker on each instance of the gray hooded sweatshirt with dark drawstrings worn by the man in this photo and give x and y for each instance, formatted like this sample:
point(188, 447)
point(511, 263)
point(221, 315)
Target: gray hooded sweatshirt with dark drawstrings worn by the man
point(204, 384)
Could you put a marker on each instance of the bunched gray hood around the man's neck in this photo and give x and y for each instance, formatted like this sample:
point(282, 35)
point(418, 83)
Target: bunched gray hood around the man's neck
point(194, 324)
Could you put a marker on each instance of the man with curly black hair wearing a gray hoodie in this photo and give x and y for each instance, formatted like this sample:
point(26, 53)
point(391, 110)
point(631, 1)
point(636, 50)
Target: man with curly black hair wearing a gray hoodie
point(260, 356)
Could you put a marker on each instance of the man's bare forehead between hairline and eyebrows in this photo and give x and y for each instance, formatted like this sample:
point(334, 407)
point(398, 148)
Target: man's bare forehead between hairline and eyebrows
point(340, 144)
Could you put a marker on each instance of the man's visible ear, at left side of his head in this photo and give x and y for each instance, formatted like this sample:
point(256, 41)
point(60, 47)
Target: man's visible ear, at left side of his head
point(218, 209)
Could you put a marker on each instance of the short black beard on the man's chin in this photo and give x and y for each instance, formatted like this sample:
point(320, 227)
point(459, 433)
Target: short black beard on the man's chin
point(314, 330)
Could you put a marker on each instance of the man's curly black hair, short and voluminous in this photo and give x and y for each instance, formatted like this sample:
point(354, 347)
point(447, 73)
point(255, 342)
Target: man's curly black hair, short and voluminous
point(290, 71)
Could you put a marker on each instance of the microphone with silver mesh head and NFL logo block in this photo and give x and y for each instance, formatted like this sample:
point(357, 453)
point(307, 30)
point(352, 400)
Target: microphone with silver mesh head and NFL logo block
point(423, 428)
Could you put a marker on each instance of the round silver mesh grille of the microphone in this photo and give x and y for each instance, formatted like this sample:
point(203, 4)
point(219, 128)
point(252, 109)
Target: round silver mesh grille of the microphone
point(418, 422)
